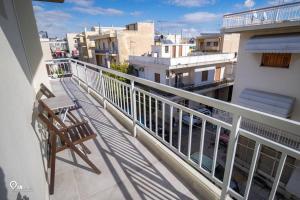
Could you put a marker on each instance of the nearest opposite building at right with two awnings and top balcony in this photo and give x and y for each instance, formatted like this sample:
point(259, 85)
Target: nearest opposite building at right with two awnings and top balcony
point(267, 79)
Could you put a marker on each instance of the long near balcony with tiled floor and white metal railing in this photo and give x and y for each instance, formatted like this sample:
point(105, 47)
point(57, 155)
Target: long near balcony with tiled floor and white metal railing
point(200, 153)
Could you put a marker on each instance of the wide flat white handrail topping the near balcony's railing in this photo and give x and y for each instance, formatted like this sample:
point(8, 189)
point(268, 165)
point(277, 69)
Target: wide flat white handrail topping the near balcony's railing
point(271, 120)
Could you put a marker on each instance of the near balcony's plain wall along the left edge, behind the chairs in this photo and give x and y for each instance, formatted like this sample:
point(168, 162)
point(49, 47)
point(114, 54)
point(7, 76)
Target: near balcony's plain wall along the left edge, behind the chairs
point(20, 152)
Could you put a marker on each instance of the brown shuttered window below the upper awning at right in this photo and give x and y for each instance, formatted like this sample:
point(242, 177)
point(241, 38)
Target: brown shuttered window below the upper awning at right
point(280, 60)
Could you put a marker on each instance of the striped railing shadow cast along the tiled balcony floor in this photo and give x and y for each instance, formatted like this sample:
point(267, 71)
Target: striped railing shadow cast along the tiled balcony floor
point(147, 180)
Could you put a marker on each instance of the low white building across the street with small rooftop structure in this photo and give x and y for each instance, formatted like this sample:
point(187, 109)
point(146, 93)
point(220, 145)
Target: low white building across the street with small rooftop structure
point(173, 65)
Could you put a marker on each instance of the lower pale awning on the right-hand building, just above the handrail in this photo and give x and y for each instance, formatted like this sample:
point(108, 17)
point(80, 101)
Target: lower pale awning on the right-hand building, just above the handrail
point(271, 103)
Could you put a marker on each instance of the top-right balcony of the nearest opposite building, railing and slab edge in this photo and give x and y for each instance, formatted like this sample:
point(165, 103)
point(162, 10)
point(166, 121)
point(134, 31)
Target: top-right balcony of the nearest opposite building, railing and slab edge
point(285, 15)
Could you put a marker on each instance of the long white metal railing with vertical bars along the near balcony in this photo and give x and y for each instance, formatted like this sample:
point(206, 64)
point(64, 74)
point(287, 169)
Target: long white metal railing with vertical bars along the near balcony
point(143, 108)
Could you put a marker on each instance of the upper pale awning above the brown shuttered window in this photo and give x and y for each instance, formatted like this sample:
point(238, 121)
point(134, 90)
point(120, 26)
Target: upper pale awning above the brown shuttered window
point(279, 43)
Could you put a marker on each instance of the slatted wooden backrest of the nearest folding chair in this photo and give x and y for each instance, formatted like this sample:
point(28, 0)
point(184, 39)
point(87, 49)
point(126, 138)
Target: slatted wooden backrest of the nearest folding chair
point(49, 117)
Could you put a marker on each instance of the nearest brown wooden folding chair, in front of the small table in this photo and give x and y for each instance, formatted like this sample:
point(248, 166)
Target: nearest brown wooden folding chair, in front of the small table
point(69, 136)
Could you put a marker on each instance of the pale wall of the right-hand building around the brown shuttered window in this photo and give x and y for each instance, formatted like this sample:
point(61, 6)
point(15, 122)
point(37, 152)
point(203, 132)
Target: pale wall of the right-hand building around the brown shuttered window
point(249, 74)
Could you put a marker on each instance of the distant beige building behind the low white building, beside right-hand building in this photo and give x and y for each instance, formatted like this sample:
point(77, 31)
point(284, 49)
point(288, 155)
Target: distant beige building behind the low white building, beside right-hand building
point(217, 42)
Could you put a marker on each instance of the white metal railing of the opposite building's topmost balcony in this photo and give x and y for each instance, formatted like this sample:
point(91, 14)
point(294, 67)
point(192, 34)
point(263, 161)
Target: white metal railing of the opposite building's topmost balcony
point(269, 15)
